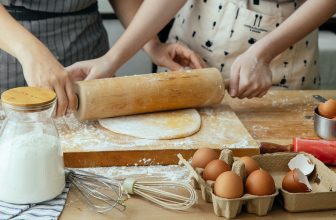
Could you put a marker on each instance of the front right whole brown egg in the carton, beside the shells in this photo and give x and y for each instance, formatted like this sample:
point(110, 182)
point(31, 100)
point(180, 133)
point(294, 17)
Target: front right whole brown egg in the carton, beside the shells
point(260, 183)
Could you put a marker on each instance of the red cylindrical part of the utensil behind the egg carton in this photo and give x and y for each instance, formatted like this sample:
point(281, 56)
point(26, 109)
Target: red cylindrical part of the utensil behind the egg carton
point(323, 150)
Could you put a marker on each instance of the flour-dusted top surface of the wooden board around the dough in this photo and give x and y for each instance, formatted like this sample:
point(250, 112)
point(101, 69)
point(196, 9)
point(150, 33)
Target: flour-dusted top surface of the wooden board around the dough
point(219, 127)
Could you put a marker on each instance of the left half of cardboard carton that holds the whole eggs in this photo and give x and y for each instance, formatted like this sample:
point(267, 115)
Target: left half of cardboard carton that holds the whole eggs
point(229, 208)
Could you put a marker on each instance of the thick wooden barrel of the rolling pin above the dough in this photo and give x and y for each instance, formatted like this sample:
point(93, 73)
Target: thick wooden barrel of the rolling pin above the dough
point(128, 95)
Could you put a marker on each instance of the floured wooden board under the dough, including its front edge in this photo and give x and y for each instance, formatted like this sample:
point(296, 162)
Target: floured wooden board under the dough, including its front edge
point(90, 145)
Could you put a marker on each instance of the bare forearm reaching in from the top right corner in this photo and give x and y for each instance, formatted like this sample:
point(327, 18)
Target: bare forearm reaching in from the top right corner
point(303, 21)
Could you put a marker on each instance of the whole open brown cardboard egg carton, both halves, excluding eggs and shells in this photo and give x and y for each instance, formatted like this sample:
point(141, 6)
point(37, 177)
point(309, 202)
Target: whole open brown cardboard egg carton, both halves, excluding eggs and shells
point(322, 180)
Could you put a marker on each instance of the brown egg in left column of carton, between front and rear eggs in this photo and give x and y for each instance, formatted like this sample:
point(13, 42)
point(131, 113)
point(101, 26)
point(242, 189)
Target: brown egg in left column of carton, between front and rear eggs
point(214, 168)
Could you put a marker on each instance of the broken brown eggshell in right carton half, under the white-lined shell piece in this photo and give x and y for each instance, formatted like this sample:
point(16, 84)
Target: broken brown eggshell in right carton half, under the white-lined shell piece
point(291, 183)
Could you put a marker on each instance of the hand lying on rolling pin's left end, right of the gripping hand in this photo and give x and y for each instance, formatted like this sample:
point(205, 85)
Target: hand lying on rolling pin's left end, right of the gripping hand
point(101, 67)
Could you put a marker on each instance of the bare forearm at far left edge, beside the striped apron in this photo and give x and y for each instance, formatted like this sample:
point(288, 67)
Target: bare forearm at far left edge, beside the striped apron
point(15, 39)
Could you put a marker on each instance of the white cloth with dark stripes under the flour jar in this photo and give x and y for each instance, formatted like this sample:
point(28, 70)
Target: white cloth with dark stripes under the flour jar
point(49, 210)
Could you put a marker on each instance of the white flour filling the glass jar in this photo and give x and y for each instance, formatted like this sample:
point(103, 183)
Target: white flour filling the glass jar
point(31, 168)
